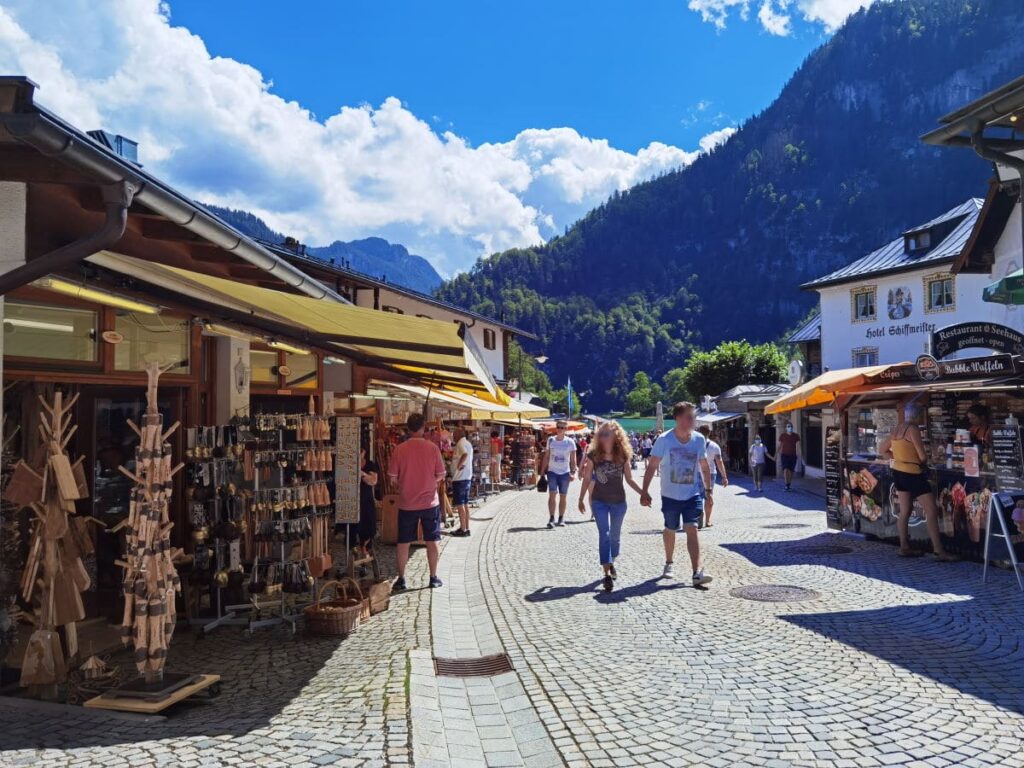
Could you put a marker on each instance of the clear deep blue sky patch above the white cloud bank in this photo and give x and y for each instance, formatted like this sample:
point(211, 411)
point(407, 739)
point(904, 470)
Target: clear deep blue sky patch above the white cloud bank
point(629, 72)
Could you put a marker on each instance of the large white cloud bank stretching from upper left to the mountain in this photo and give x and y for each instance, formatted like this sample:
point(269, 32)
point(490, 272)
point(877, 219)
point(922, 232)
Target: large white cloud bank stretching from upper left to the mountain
point(214, 127)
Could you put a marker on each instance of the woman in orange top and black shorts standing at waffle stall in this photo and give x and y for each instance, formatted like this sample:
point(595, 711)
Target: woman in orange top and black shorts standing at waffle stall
point(909, 463)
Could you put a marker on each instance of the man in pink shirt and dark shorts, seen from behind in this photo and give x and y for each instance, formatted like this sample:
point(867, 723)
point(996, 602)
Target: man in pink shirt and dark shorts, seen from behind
point(418, 468)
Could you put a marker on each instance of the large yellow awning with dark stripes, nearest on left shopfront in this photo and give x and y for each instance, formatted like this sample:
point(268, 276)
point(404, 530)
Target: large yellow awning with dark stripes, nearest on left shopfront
point(436, 353)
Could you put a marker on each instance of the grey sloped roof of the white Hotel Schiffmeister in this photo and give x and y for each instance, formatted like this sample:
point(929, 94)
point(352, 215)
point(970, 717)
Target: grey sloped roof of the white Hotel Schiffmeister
point(894, 259)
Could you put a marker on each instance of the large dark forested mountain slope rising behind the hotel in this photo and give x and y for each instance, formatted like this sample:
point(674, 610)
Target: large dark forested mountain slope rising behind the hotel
point(717, 250)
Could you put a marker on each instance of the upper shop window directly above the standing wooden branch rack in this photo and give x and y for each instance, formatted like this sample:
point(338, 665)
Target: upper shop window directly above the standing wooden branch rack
point(152, 339)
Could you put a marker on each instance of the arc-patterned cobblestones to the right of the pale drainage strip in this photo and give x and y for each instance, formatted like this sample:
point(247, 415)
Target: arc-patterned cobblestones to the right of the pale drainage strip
point(899, 663)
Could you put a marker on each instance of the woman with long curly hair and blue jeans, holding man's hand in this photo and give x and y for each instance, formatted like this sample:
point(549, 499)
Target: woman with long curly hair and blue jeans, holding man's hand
point(608, 471)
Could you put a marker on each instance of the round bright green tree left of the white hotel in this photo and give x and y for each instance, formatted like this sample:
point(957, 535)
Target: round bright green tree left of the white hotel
point(730, 364)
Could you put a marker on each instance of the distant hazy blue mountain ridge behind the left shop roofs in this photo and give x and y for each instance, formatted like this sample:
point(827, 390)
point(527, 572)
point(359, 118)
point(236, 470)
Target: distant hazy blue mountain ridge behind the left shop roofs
point(374, 257)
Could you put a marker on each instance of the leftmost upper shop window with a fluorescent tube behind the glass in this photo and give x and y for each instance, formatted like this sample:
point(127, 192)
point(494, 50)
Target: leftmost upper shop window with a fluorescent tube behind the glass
point(52, 333)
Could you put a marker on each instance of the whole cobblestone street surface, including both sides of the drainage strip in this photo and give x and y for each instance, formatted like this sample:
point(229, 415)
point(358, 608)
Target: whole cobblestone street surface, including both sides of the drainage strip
point(893, 663)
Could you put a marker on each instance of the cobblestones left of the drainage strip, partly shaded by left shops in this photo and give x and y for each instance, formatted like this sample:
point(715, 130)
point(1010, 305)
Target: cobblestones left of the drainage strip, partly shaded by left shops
point(301, 702)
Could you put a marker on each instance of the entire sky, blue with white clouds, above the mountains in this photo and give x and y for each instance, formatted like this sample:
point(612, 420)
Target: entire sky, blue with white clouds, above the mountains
point(456, 129)
